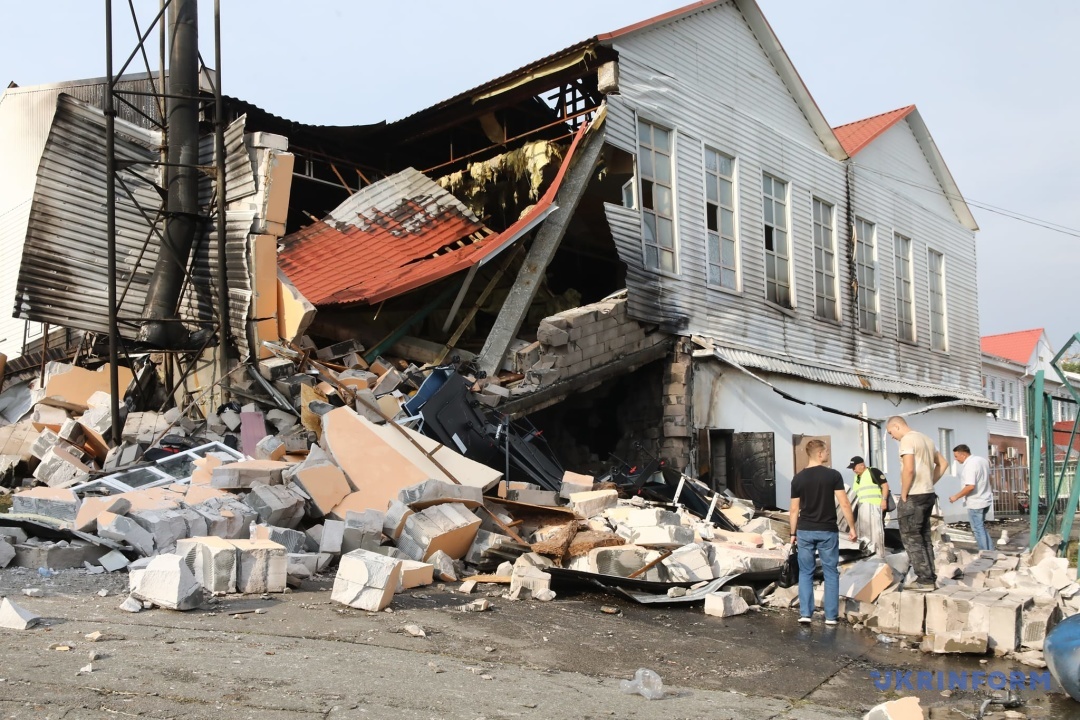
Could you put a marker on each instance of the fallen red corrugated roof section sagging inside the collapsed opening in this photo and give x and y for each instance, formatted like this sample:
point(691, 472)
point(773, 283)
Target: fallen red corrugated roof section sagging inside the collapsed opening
point(396, 236)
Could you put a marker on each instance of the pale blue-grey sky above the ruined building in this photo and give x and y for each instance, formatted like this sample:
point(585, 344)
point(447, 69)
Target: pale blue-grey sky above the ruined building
point(995, 81)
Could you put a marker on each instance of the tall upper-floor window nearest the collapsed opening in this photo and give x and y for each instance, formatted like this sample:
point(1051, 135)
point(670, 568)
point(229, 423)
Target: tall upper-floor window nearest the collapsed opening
point(656, 196)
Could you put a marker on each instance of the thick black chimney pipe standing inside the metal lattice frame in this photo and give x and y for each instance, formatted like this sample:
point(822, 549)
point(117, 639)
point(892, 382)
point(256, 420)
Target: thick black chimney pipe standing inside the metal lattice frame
point(164, 329)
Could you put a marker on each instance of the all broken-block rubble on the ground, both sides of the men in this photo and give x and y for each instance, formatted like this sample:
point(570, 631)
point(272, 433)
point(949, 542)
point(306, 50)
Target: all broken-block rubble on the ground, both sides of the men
point(342, 480)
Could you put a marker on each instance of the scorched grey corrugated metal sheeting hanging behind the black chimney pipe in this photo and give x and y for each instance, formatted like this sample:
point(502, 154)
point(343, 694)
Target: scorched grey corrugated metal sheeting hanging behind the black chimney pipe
point(63, 277)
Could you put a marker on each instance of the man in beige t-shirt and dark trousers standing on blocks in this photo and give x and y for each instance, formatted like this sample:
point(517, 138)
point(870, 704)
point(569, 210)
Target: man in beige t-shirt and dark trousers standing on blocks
point(922, 467)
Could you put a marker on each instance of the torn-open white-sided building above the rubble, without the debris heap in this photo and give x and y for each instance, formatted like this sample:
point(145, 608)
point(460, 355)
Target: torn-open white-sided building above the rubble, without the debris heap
point(646, 254)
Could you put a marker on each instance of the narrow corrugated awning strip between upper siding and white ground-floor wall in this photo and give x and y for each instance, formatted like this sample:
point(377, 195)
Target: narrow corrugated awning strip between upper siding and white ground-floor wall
point(841, 378)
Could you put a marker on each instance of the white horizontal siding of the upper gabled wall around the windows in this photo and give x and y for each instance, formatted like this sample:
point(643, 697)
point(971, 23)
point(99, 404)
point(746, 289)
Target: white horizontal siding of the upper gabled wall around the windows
point(709, 79)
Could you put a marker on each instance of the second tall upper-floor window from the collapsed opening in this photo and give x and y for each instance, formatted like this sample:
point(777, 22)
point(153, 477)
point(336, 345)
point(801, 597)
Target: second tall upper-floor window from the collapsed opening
point(722, 249)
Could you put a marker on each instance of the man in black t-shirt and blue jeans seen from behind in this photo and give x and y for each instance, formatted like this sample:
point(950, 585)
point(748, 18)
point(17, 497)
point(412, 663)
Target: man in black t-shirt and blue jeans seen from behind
point(816, 493)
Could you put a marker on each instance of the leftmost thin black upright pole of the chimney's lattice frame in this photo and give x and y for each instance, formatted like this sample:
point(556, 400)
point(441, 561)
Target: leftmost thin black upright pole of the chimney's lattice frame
point(111, 227)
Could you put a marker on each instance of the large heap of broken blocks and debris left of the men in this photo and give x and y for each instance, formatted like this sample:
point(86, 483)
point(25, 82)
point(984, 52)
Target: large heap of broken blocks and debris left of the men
point(252, 499)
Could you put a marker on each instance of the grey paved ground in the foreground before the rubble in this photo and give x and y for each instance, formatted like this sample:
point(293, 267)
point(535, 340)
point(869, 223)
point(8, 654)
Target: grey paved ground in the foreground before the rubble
point(300, 655)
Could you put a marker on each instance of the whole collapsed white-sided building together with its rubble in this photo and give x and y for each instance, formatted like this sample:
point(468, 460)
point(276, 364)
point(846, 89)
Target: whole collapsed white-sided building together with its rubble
point(650, 246)
